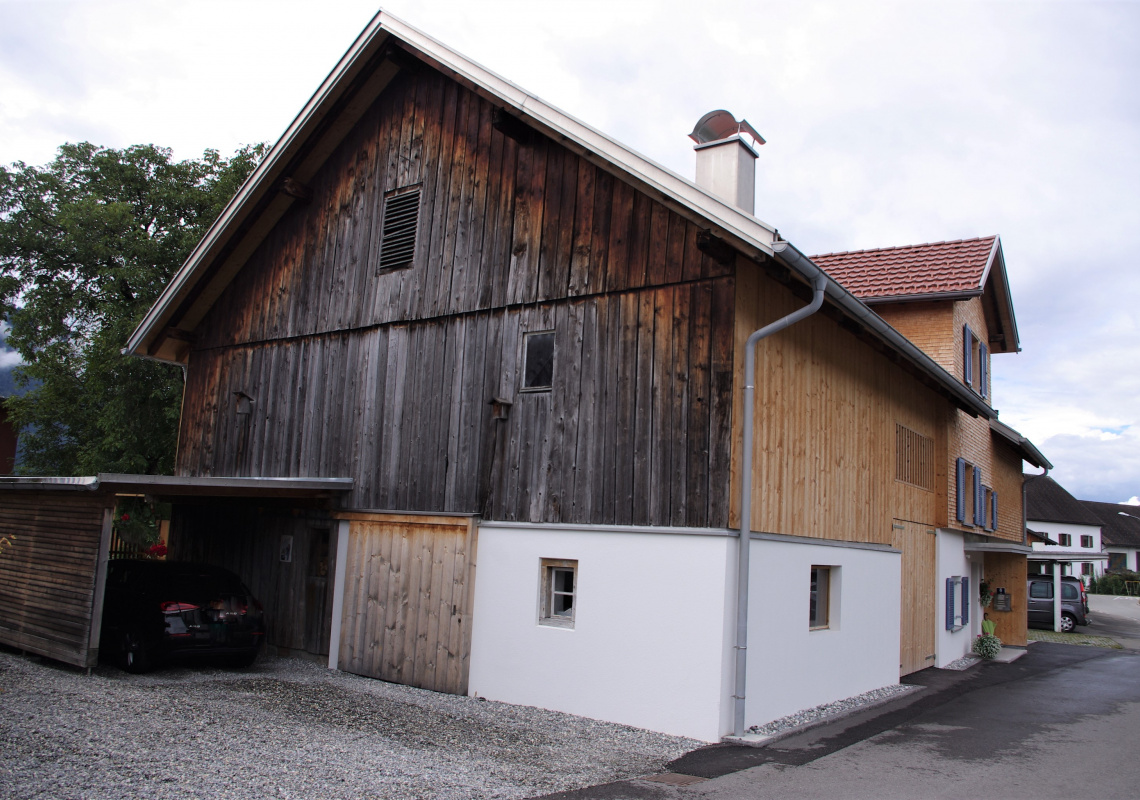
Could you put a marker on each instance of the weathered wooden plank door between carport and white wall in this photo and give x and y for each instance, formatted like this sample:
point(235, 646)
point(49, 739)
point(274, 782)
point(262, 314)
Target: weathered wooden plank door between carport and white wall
point(409, 591)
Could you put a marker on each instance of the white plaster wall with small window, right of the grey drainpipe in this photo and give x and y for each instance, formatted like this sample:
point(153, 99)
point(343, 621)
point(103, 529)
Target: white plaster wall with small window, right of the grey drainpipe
point(792, 668)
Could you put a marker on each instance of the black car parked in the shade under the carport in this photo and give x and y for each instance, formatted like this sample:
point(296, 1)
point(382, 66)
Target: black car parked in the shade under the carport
point(157, 611)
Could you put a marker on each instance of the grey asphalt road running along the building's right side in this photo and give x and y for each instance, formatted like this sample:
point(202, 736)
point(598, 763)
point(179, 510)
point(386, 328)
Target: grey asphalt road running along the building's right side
point(1060, 723)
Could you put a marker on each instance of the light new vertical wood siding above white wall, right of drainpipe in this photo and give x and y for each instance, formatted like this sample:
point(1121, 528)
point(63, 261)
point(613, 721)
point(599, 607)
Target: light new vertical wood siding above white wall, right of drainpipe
point(826, 414)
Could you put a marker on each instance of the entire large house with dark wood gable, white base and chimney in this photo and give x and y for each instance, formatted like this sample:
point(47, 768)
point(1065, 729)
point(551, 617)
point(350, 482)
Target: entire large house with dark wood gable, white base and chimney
point(478, 332)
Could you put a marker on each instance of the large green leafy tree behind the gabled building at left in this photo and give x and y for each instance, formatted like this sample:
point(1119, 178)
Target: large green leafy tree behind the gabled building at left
point(87, 246)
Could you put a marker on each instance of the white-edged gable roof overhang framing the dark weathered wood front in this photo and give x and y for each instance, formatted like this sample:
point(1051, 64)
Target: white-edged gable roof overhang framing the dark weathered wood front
point(359, 79)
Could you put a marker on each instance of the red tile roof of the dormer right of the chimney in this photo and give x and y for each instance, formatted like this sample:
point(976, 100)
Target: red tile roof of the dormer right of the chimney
point(937, 268)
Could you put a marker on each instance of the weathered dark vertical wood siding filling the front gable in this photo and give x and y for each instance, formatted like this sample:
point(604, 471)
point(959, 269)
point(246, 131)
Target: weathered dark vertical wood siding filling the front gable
point(388, 378)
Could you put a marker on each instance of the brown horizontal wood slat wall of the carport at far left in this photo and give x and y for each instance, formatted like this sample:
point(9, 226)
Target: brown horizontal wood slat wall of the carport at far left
point(50, 556)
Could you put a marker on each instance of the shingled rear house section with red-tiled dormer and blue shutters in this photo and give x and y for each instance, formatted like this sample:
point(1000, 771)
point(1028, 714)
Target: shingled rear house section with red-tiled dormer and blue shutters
point(952, 300)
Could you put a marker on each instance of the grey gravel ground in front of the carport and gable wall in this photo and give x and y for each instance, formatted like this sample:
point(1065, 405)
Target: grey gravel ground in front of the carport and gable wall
point(291, 729)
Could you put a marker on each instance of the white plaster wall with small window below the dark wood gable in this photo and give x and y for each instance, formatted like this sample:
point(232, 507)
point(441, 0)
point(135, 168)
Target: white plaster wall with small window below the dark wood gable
point(652, 636)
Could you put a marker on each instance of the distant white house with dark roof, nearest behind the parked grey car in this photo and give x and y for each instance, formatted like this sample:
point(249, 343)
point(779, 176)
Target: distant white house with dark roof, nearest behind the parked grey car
point(1073, 529)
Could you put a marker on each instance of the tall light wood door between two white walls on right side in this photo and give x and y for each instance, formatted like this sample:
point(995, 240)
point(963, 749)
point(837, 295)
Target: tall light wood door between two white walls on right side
point(919, 593)
